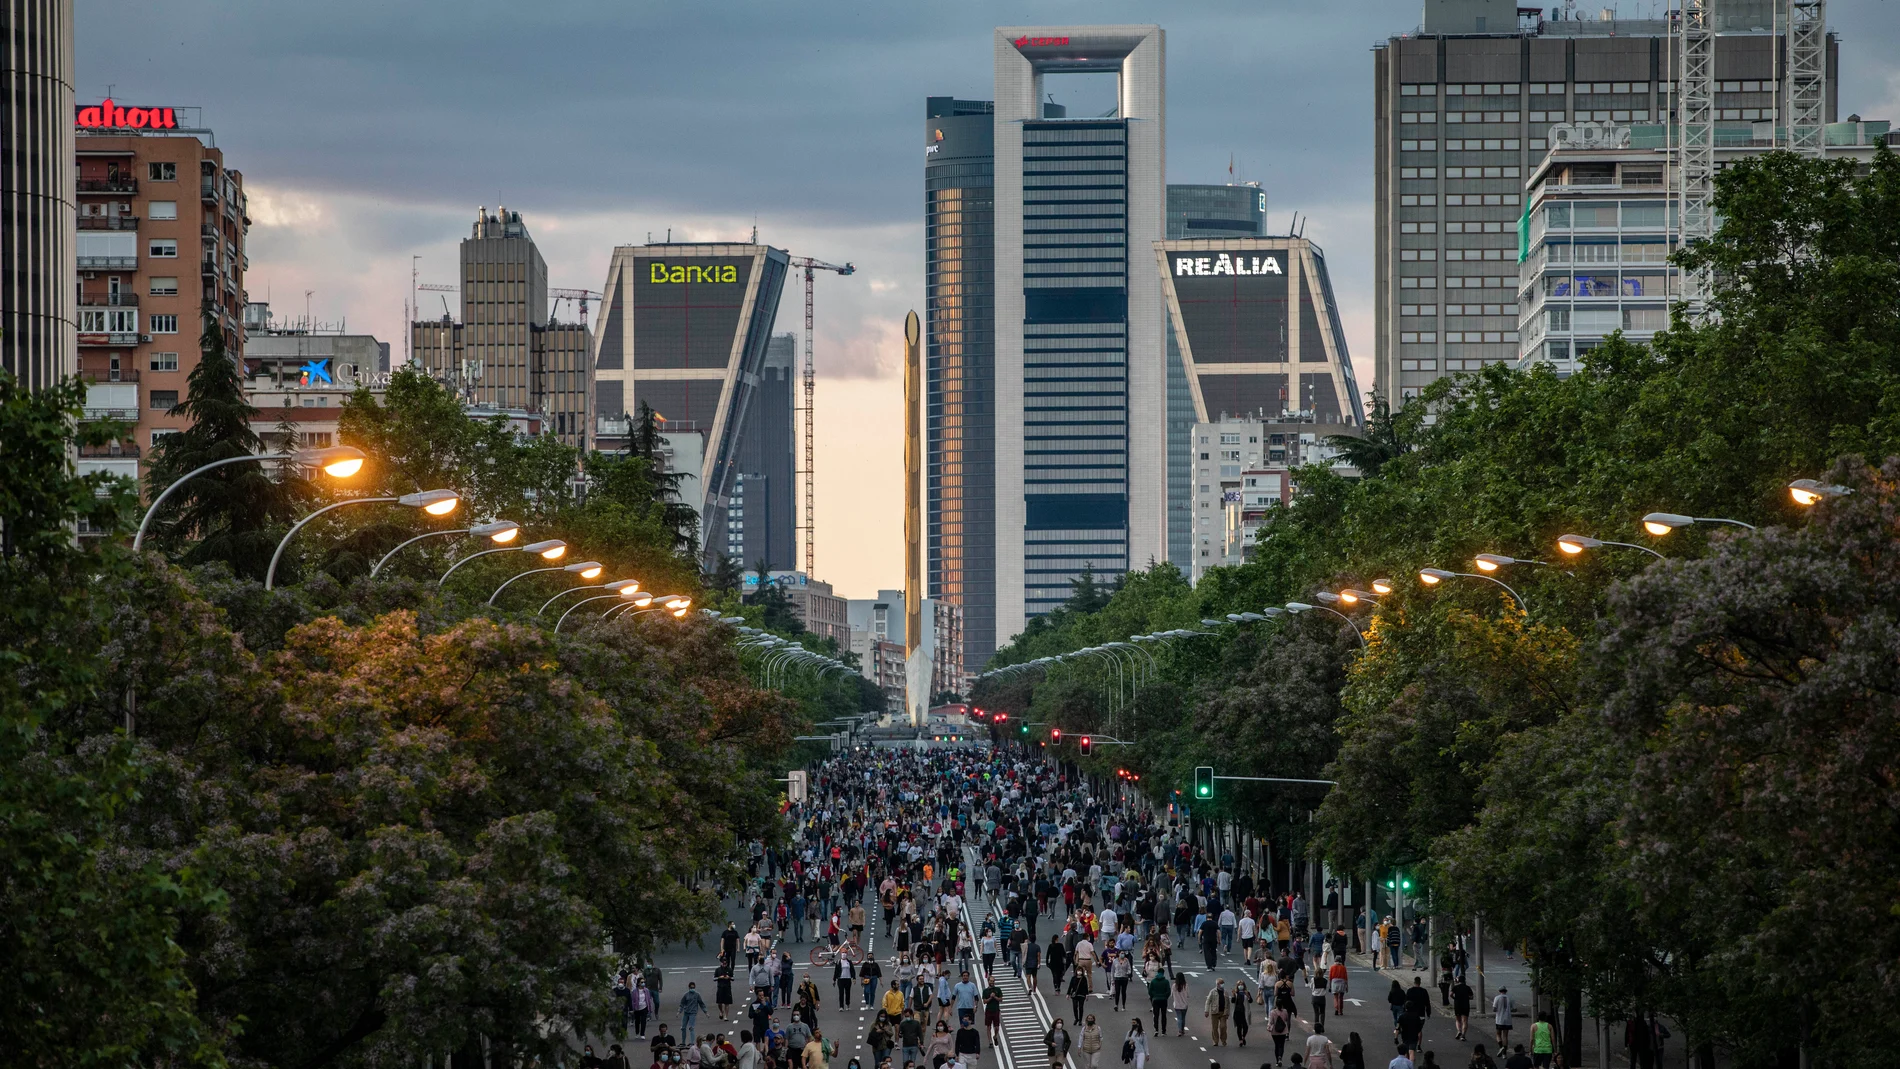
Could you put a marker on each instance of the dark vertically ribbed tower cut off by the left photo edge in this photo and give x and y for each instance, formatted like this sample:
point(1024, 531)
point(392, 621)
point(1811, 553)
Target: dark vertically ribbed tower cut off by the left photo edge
point(39, 322)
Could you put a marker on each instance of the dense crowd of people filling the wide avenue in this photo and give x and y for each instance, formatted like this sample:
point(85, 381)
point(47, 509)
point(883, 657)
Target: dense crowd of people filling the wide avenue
point(1101, 895)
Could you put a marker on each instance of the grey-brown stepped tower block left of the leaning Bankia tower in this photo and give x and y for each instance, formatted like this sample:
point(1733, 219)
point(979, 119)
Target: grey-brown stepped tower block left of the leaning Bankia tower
point(508, 354)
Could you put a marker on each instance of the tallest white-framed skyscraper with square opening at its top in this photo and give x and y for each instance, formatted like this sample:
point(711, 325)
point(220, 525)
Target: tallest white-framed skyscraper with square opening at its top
point(1080, 352)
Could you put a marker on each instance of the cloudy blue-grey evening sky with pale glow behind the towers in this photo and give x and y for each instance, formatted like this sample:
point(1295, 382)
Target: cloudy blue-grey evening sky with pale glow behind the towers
point(371, 130)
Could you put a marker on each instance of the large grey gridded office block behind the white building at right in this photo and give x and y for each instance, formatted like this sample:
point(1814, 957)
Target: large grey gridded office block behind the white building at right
point(1464, 113)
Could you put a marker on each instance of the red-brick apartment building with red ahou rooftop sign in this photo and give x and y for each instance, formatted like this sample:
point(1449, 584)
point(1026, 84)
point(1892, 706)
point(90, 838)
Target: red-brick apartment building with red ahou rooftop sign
point(143, 312)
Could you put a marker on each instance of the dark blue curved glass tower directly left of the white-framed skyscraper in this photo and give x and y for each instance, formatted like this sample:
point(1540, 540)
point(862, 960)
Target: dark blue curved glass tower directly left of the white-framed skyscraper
point(960, 364)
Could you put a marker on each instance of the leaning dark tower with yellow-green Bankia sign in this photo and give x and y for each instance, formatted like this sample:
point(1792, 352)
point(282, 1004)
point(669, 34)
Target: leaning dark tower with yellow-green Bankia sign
point(685, 331)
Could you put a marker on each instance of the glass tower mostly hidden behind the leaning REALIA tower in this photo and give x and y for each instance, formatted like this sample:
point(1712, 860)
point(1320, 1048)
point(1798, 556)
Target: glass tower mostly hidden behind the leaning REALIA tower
point(1198, 212)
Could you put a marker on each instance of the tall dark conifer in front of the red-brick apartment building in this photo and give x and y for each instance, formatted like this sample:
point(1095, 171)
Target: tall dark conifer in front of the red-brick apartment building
point(233, 514)
